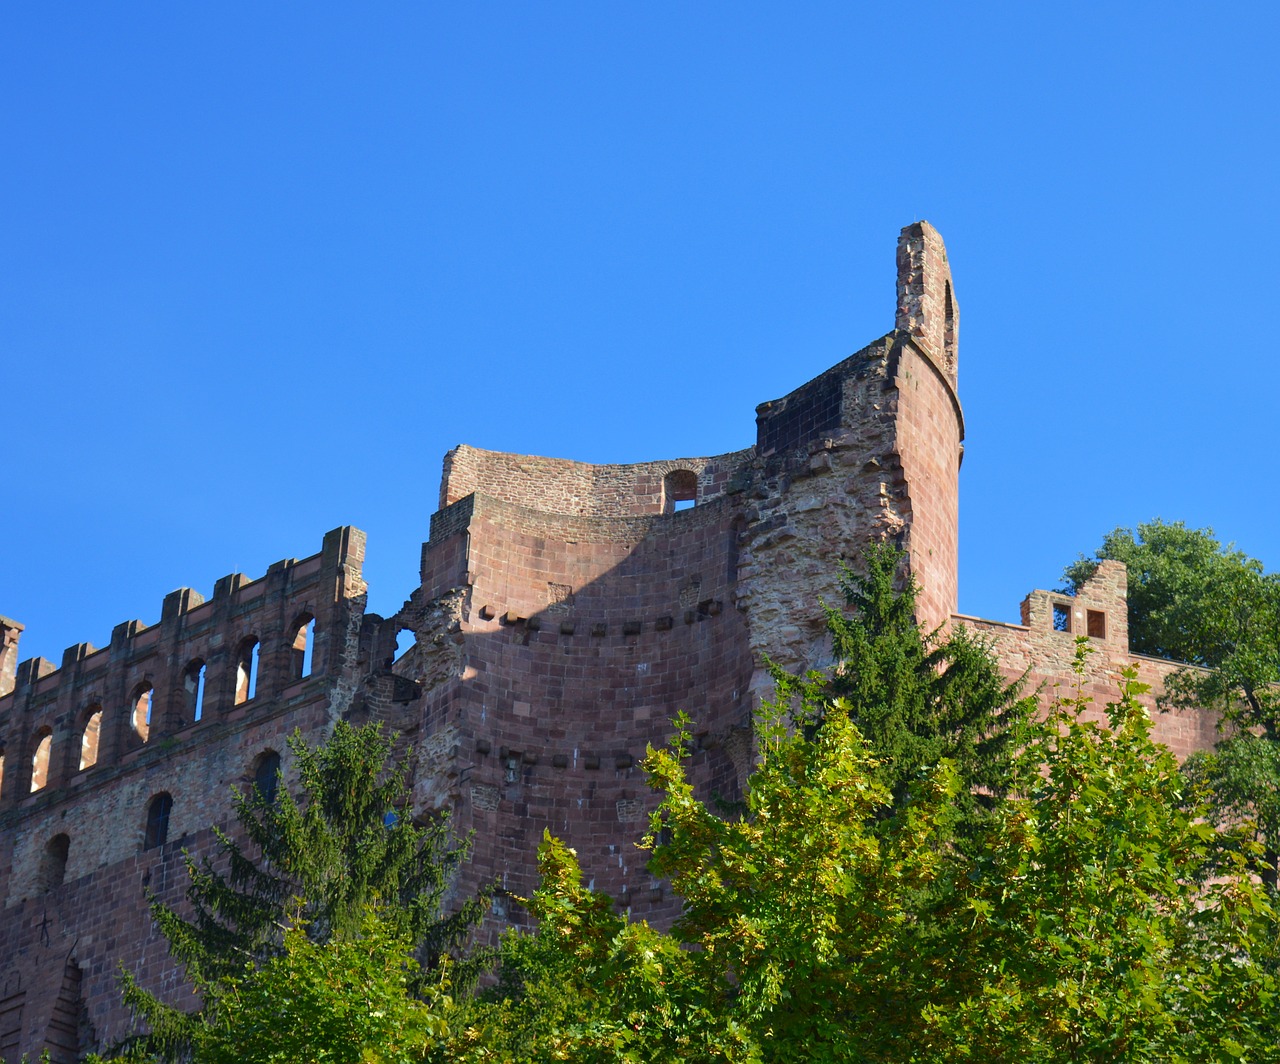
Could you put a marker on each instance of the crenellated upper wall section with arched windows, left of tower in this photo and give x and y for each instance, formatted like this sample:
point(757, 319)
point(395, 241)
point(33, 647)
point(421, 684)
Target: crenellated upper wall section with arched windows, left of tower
point(204, 663)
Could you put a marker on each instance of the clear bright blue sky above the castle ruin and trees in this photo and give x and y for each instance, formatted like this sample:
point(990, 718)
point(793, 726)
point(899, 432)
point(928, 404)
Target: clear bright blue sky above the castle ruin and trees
point(263, 264)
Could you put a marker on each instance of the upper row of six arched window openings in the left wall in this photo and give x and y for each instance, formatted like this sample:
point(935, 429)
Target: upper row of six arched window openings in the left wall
point(194, 687)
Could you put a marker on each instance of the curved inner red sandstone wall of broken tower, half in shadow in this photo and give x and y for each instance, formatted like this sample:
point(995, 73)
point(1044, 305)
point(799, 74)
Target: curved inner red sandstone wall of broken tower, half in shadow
point(580, 640)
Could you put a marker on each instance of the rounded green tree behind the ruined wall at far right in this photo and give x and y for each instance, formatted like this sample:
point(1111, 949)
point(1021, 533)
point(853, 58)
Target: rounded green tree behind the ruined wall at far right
point(1215, 609)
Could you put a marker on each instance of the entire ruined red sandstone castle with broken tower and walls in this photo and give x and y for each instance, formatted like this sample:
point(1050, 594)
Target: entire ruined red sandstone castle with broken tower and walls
point(564, 615)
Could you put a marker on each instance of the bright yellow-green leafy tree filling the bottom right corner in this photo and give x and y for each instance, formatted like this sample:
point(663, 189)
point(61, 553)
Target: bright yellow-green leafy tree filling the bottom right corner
point(1096, 933)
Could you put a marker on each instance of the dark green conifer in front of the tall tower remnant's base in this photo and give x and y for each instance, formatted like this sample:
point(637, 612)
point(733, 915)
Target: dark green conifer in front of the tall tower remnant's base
point(917, 697)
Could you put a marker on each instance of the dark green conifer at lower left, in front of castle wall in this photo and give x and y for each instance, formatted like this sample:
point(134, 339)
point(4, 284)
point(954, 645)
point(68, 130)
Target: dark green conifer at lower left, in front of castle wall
point(305, 878)
